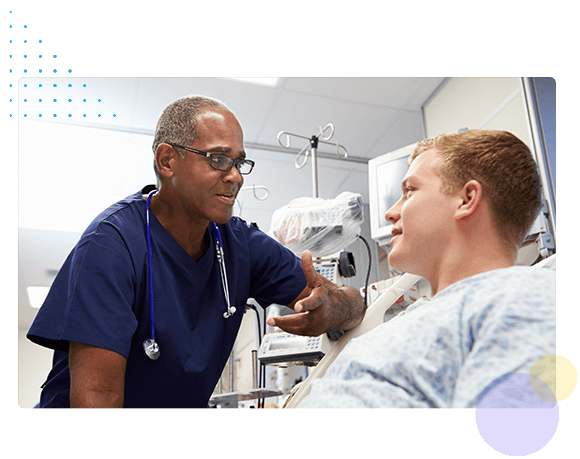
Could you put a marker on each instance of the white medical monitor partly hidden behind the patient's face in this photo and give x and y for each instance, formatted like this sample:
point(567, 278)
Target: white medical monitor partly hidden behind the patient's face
point(385, 176)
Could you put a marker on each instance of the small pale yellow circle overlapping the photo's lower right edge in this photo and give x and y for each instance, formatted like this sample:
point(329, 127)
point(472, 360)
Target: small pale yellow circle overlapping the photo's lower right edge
point(557, 373)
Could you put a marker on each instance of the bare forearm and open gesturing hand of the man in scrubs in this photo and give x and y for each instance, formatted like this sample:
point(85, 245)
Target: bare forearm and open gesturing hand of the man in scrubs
point(322, 306)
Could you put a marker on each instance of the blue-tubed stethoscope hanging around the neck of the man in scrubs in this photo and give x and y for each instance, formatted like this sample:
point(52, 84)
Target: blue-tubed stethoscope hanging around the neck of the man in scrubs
point(150, 345)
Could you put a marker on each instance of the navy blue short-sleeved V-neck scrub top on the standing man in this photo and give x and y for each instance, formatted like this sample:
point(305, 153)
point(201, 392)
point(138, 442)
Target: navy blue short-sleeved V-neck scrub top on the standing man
point(100, 297)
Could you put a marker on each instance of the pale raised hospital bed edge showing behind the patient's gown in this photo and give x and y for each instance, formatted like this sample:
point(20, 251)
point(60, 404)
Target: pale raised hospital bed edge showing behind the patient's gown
point(374, 316)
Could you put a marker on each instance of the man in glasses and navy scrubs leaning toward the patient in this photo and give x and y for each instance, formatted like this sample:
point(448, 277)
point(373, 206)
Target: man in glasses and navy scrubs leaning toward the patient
point(96, 315)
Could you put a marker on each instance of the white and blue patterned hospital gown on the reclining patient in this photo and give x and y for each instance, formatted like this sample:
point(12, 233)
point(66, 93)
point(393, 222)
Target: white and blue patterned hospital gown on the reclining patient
point(443, 352)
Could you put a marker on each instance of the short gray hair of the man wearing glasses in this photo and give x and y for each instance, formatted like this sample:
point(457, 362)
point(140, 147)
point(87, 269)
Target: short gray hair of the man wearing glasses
point(178, 123)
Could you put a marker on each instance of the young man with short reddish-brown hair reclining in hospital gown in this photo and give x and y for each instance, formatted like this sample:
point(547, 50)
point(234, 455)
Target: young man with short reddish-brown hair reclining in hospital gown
point(468, 201)
